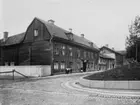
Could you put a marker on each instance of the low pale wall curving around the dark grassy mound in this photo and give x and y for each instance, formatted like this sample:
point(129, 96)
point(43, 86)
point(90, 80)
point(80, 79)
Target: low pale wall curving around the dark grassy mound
point(110, 84)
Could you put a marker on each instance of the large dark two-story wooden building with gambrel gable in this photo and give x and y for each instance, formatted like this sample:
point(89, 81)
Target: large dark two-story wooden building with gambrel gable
point(44, 43)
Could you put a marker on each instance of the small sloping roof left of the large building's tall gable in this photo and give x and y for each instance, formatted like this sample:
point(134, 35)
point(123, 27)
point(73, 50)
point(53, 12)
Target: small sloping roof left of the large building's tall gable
point(14, 39)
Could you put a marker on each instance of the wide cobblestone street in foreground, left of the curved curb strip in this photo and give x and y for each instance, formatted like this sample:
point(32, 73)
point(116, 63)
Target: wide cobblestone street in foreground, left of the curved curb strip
point(50, 91)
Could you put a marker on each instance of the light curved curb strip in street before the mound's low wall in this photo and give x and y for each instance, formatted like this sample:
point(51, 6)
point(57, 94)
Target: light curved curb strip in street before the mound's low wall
point(103, 93)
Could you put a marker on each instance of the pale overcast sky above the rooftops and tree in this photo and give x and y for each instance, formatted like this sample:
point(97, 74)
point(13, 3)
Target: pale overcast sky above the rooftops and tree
point(101, 21)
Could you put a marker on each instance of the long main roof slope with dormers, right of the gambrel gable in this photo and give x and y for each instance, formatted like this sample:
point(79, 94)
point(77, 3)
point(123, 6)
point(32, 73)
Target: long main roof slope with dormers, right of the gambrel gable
point(61, 33)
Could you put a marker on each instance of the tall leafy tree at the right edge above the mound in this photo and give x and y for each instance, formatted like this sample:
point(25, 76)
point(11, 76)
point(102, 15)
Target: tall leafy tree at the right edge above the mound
point(132, 41)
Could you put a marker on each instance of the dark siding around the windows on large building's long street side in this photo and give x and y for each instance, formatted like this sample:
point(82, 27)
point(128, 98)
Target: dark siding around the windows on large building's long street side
point(74, 59)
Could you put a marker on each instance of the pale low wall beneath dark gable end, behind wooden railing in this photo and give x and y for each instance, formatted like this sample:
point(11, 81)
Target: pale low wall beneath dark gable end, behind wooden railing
point(39, 70)
